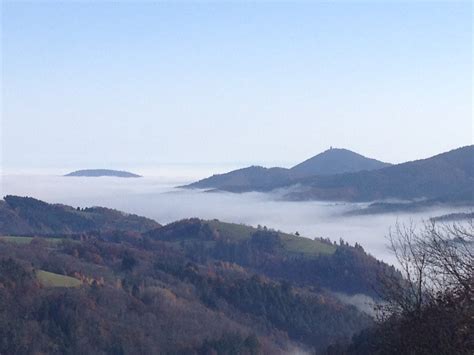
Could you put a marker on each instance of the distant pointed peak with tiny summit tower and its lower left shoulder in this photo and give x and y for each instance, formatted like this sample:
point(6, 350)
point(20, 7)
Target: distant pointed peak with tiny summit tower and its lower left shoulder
point(257, 178)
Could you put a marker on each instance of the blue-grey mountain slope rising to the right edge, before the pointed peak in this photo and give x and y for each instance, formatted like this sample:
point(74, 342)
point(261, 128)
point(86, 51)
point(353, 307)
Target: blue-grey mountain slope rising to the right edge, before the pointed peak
point(446, 178)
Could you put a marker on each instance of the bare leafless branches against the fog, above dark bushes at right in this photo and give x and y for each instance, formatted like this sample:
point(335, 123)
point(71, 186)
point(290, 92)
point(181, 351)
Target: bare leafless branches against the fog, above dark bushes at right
point(433, 259)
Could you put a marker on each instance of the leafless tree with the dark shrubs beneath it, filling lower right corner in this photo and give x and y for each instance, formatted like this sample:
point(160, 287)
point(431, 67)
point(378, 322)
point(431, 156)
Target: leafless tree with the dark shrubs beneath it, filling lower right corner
point(430, 308)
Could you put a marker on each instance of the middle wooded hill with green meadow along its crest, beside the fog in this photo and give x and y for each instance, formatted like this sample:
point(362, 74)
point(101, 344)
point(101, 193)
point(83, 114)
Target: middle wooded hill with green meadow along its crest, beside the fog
point(276, 254)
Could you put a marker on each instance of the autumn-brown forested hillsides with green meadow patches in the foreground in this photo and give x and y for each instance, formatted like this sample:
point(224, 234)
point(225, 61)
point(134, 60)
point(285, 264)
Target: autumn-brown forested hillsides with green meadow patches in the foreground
point(150, 291)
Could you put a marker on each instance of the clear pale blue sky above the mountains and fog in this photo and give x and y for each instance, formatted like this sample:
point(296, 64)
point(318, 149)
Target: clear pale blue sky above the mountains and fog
point(118, 84)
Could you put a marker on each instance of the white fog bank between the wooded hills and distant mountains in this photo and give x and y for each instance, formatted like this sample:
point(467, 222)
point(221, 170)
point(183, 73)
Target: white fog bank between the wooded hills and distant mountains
point(156, 197)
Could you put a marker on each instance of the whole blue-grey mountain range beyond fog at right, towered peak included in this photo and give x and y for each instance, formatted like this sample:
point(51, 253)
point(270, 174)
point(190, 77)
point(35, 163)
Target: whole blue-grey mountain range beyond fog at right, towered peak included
point(342, 175)
